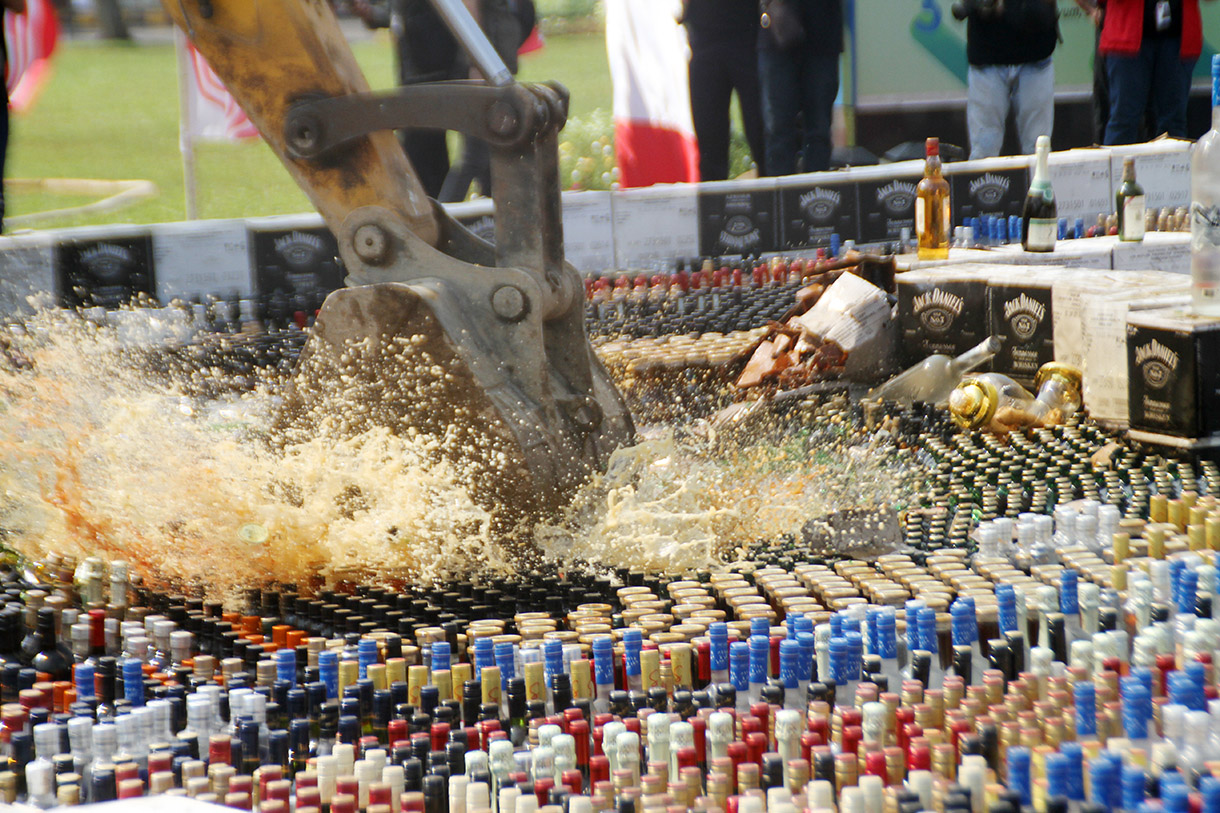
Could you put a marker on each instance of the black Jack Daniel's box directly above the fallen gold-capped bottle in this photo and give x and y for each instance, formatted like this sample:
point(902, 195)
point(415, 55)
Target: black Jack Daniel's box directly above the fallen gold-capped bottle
point(1021, 316)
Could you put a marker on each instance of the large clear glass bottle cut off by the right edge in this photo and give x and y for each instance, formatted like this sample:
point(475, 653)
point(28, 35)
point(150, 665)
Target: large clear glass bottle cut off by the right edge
point(1206, 211)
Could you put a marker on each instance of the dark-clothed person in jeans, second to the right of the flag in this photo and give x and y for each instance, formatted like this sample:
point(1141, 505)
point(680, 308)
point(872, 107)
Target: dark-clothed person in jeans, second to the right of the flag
point(800, 48)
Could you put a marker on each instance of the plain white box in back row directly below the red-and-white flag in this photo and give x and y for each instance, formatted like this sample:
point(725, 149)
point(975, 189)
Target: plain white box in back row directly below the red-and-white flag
point(656, 224)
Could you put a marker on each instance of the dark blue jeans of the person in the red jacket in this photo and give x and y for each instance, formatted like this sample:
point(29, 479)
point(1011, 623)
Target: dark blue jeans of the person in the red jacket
point(1156, 78)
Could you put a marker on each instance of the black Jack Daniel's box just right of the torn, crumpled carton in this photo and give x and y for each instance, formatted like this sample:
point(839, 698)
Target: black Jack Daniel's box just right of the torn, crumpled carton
point(942, 311)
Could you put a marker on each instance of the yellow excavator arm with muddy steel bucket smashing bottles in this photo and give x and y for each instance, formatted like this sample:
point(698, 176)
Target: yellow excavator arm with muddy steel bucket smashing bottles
point(479, 350)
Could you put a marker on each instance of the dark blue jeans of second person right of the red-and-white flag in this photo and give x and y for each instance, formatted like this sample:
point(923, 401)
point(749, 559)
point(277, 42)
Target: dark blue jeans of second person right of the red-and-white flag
point(798, 95)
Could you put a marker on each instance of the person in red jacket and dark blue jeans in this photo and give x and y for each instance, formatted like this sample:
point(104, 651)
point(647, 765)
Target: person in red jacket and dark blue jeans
point(1151, 48)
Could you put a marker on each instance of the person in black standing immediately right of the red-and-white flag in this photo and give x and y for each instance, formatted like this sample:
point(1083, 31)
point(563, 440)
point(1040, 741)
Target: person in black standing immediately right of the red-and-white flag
point(724, 59)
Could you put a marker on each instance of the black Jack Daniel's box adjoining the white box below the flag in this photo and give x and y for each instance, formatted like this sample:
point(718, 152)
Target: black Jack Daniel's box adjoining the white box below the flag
point(737, 218)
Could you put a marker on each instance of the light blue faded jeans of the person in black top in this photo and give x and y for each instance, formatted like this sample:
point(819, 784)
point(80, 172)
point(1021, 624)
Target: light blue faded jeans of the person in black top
point(1028, 90)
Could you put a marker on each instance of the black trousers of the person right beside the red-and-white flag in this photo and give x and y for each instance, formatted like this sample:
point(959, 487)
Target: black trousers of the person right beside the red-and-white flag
point(719, 67)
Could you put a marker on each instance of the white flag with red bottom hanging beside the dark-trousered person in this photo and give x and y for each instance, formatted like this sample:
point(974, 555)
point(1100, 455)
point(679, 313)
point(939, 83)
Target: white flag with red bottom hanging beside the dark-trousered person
point(650, 56)
